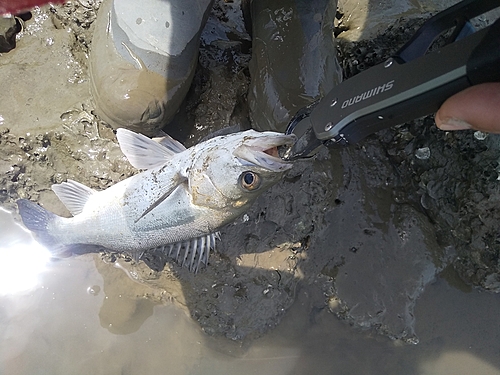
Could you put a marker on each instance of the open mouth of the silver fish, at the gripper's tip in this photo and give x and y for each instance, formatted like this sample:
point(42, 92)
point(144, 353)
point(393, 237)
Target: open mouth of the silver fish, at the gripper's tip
point(263, 150)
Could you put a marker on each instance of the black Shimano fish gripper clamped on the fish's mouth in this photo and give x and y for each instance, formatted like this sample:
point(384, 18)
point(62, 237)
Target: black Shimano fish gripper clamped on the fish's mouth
point(409, 85)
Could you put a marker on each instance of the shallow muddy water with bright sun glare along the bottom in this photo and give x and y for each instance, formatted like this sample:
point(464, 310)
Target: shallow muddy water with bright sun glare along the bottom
point(76, 320)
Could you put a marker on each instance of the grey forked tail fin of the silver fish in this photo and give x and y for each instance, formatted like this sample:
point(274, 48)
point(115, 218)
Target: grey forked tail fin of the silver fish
point(37, 219)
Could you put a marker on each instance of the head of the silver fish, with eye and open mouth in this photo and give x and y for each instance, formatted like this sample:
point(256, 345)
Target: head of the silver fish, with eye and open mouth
point(233, 170)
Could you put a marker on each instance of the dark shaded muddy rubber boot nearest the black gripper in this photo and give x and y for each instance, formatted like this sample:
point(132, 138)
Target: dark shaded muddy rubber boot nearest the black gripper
point(294, 58)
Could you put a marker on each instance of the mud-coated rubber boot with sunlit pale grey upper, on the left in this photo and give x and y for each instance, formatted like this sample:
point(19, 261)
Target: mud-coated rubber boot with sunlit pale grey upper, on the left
point(143, 58)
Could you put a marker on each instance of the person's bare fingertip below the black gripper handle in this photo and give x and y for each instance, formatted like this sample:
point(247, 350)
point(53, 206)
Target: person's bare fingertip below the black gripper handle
point(477, 107)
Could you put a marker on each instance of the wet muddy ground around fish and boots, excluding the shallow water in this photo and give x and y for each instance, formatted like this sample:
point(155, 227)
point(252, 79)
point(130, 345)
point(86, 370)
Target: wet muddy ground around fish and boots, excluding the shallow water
point(363, 230)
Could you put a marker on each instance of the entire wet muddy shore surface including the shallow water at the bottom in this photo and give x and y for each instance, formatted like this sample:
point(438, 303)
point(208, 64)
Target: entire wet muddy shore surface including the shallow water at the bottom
point(347, 266)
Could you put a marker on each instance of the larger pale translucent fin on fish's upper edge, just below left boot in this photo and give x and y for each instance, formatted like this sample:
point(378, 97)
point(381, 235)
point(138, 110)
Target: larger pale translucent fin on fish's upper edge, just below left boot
point(143, 152)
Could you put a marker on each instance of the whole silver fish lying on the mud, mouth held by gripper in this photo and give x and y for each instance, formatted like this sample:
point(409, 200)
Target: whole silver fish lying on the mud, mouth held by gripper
point(178, 203)
